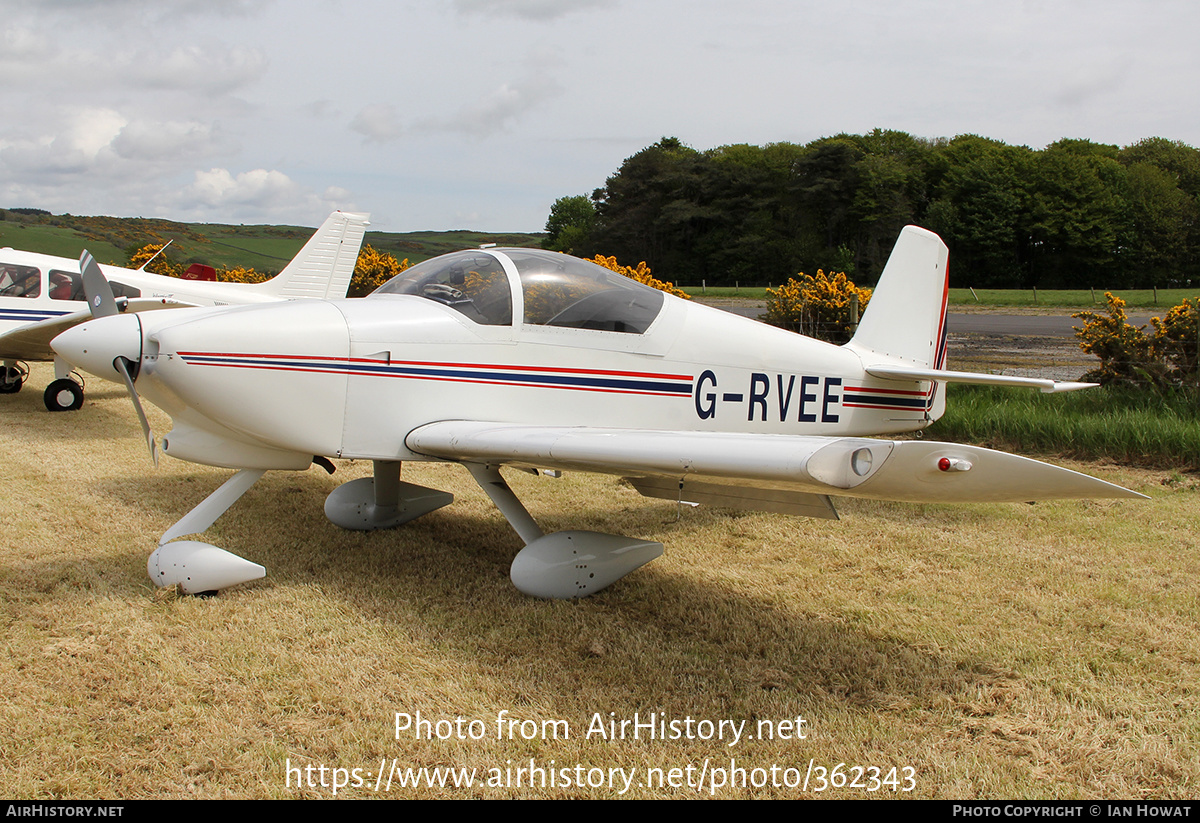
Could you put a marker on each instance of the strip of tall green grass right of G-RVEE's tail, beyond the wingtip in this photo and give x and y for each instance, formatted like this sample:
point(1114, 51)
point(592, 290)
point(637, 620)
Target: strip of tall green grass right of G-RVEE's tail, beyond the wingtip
point(1120, 425)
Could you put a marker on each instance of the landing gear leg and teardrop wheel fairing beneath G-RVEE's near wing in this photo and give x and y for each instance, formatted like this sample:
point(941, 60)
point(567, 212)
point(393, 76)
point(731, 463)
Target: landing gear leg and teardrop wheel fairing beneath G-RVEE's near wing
point(563, 566)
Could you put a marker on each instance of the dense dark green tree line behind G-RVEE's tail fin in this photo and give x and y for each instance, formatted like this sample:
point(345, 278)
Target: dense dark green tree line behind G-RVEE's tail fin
point(1073, 215)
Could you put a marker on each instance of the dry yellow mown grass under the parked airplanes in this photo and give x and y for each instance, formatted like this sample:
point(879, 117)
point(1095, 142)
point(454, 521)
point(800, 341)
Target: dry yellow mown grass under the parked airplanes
point(1000, 651)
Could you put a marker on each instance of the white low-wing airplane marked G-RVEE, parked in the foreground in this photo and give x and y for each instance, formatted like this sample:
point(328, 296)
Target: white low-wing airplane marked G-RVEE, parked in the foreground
point(535, 359)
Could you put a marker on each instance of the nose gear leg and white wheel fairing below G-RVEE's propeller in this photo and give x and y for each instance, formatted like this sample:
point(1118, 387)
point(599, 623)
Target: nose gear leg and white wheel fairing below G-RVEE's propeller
point(196, 567)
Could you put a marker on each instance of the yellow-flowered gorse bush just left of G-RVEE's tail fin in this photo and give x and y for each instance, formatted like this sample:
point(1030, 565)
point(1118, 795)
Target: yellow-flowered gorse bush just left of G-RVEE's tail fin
point(818, 305)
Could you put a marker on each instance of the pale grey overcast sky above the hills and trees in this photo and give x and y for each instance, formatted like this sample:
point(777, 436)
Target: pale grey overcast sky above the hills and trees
point(443, 115)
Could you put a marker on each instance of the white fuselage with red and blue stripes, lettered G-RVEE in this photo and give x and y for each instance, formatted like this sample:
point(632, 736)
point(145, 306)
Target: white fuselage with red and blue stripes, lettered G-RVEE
point(352, 379)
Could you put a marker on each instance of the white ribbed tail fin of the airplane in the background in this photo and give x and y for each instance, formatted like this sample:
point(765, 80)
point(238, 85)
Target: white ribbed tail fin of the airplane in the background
point(326, 265)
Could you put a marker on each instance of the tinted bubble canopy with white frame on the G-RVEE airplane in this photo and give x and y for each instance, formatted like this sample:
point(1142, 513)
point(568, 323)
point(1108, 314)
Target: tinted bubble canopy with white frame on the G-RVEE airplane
point(556, 290)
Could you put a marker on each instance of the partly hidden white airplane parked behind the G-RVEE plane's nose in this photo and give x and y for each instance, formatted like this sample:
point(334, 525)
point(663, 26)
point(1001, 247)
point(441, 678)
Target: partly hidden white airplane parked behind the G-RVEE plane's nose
point(38, 295)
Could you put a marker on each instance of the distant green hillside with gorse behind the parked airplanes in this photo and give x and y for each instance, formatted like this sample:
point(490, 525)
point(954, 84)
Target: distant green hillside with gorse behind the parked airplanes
point(263, 248)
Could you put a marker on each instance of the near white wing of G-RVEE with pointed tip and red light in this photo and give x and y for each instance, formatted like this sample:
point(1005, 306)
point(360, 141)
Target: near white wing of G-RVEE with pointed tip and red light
point(782, 473)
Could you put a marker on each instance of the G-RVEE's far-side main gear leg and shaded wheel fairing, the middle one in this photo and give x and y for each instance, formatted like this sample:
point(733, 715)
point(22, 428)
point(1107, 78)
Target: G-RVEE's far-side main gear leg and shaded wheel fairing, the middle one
point(382, 502)
